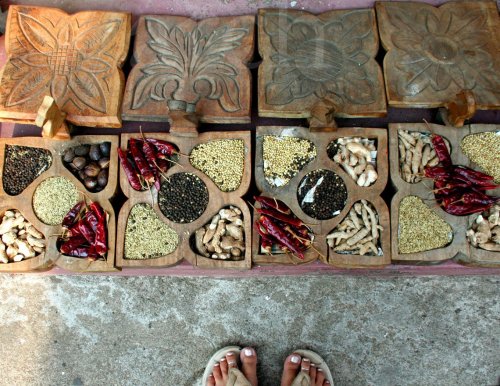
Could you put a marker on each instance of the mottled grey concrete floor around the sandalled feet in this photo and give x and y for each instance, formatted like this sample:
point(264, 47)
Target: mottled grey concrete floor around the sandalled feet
point(99, 330)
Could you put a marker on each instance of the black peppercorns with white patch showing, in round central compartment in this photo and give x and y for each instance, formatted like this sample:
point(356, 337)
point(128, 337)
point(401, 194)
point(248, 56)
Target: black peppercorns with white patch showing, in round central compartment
point(322, 194)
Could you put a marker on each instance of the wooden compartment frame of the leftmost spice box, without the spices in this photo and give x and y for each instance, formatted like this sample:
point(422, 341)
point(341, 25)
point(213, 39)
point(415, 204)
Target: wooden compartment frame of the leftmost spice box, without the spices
point(23, 203)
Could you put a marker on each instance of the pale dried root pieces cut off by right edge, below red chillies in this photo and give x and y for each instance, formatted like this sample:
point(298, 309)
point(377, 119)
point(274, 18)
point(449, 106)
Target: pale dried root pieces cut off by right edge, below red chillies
point(485, 230)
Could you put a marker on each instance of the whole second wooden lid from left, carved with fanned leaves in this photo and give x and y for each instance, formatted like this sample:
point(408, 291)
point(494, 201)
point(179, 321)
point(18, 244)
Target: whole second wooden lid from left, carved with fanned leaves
point(192, 66)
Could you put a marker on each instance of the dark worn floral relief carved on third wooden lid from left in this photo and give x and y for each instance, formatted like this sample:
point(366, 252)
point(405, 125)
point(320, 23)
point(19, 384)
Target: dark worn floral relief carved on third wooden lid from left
point(321, 58)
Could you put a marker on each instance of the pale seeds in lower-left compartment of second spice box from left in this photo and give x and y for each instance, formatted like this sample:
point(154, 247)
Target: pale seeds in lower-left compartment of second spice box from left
point(146, 236)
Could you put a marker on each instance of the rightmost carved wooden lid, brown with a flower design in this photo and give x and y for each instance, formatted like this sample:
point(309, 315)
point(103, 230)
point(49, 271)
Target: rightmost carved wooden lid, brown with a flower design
point(434, 53)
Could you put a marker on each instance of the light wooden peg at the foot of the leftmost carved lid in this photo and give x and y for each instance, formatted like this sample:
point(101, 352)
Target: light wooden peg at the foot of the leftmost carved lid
point(52, 120)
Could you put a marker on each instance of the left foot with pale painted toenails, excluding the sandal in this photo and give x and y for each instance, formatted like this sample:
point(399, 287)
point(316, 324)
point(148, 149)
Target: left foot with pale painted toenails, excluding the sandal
point(248, 358)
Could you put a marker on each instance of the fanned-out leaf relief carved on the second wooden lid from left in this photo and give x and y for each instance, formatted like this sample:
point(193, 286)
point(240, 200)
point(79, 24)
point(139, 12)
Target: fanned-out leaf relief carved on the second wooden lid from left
point(190, 65)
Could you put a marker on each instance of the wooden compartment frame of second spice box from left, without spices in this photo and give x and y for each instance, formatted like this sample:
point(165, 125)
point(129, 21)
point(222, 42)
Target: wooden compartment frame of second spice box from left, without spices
point(217, 200)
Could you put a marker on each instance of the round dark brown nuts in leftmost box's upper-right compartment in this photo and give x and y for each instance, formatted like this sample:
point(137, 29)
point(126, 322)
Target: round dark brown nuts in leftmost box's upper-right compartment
point(90, 163)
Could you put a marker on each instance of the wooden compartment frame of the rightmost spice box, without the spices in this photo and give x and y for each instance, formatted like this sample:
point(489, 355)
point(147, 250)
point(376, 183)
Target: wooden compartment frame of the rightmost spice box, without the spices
point(459, 249)
